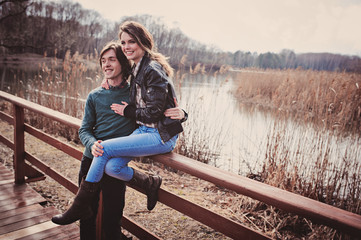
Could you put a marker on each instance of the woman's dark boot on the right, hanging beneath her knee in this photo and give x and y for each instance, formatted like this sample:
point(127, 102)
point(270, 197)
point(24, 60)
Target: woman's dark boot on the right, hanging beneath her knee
point(150, 184)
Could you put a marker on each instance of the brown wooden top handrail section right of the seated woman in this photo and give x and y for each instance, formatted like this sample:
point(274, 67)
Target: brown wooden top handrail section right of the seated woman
point(317, 211)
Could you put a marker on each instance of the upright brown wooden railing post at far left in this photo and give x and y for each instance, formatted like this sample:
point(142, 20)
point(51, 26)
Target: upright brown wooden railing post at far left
point(19, 149)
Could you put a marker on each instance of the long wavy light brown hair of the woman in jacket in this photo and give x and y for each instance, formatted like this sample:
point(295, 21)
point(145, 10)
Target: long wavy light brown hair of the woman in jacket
point(145, 40)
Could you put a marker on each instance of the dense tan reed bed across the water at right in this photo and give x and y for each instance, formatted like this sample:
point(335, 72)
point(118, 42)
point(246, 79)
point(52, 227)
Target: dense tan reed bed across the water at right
point(328, 99)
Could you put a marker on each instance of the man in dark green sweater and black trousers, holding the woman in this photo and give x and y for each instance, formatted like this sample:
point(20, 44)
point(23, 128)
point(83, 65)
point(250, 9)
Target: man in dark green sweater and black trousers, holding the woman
point(100, 123)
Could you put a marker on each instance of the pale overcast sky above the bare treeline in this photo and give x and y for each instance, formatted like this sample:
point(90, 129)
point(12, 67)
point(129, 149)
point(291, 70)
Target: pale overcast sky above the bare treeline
point(253, 25)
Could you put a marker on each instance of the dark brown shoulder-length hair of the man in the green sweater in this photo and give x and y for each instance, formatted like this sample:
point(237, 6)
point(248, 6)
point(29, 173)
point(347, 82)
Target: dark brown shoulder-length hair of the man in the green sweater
point(124, 62)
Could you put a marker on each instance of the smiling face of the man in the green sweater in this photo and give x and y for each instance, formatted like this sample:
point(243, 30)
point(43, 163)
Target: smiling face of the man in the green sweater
point(110, 65)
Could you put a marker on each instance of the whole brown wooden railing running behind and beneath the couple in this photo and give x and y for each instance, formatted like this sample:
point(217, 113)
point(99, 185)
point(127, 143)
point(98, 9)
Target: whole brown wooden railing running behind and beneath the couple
point(342, 220)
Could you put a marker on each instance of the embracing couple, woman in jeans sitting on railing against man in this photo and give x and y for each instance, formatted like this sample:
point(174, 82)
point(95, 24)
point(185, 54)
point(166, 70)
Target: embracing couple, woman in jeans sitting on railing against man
point(111, 112)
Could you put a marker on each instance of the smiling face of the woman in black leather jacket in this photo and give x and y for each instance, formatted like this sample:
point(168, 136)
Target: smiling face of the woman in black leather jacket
point(131, 48)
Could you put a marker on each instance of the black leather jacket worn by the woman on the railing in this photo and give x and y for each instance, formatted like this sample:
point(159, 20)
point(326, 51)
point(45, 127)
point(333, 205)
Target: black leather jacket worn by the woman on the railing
point(158, 94)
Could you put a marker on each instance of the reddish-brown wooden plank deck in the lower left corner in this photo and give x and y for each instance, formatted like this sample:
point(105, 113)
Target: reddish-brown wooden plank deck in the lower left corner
point(23, 217)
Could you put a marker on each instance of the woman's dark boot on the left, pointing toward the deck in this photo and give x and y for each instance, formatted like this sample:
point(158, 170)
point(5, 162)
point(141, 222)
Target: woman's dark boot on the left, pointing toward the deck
point(80, 209)
